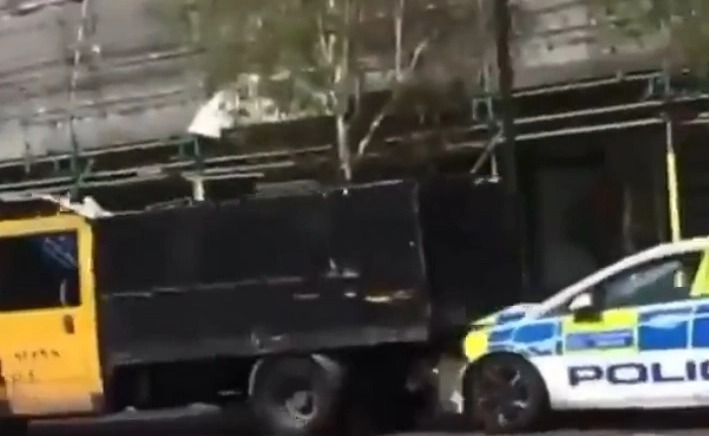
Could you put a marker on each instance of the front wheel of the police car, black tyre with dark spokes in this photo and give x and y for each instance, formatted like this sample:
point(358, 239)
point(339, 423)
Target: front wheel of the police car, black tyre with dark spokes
point(505, 394)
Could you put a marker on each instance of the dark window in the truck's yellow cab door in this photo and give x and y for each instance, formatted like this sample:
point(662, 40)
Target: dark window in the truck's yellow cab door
point(39, 271)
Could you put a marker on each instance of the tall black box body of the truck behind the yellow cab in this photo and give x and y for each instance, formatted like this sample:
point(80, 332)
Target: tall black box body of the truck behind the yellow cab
point(397, 262)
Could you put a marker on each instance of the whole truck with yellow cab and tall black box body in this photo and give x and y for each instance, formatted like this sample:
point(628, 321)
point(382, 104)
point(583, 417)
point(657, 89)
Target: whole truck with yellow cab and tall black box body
point(308, 305)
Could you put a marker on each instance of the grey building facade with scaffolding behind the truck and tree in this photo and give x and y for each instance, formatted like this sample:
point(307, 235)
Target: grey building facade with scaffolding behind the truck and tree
point(98, 94)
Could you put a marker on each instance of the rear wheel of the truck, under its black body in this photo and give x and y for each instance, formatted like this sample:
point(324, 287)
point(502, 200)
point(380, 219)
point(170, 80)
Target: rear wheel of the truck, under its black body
point(297, 396)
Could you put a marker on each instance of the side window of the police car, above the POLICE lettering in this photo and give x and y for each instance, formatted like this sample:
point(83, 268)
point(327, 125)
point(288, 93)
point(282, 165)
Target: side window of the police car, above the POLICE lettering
point(660, 281)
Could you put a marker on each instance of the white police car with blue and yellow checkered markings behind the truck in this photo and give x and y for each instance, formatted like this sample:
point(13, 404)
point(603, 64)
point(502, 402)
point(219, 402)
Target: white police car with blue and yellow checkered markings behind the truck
point(632, 335)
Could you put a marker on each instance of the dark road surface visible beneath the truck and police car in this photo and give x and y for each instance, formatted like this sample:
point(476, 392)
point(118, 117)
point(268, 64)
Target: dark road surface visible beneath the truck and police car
point(207, 421)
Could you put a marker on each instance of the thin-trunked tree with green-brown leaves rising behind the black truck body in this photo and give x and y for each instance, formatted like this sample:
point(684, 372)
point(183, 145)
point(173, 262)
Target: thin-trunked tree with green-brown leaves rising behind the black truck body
point(310, 57)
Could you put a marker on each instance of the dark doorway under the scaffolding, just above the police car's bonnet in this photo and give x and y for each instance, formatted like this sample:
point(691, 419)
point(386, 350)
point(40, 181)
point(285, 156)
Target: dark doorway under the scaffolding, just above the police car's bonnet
point(574, 207)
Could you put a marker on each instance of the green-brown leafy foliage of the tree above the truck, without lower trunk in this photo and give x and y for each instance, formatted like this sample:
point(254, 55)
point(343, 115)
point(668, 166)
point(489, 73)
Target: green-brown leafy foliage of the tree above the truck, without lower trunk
point(309, 53)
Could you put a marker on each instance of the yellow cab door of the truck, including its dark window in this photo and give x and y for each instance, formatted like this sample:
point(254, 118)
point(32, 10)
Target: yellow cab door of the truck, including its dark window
point(48, 341)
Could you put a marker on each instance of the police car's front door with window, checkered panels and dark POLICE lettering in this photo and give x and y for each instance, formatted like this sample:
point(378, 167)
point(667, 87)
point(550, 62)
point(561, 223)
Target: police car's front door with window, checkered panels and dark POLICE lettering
point(637, 343)
